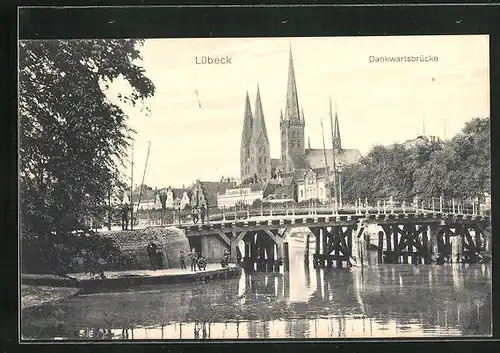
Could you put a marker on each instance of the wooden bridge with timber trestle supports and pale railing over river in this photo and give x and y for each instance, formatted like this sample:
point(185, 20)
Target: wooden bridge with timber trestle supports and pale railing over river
point(415, 234)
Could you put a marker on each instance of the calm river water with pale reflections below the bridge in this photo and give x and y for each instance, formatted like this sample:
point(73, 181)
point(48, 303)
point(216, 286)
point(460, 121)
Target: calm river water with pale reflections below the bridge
point(370, 302)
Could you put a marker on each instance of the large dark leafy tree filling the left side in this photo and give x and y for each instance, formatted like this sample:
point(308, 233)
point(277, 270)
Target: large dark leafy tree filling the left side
point(72, 138)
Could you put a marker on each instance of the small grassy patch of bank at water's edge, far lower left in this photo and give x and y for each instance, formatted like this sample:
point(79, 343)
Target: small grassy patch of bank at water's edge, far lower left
point(39, 295)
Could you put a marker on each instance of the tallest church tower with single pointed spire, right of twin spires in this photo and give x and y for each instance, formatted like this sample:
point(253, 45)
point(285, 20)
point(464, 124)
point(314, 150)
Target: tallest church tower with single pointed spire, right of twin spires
point(292, 124)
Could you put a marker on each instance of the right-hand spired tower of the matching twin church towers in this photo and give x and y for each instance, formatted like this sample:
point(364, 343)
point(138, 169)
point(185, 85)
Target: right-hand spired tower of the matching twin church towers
point(260, 156)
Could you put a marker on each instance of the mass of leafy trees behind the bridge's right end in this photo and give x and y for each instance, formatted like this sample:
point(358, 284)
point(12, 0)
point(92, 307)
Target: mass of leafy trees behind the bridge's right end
point(459, 168)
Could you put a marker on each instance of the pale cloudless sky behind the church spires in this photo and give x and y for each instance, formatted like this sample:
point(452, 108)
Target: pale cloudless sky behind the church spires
point(377, 103)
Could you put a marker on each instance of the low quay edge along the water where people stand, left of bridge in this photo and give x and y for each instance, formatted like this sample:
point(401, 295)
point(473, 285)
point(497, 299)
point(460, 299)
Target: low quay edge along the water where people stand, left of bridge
point(124, 279)
